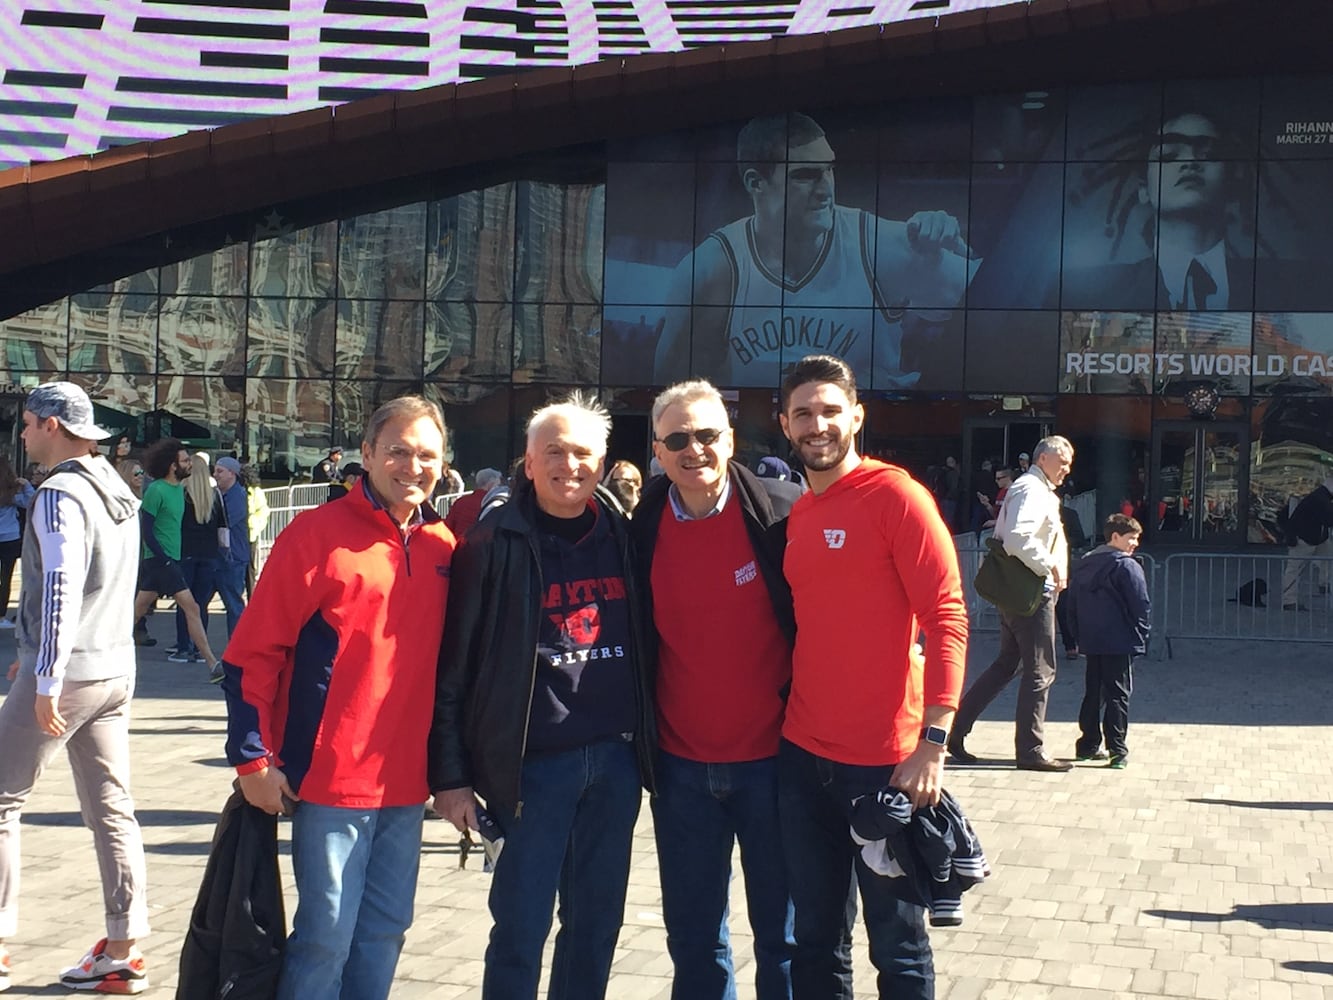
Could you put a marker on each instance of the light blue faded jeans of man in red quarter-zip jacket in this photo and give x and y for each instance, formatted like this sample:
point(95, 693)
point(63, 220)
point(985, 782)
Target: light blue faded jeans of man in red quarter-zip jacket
point(355, 885)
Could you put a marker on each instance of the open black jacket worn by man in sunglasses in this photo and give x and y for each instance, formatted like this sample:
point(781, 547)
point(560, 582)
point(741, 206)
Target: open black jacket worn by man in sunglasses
point(764, 514)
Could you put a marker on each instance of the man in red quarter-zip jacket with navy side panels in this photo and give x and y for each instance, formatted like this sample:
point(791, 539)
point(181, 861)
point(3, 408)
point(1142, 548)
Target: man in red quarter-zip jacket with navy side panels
point(330, 681)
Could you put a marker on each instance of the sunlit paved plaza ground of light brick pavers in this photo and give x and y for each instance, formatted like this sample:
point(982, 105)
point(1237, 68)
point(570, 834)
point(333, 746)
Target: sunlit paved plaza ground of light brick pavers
point(1206, 870)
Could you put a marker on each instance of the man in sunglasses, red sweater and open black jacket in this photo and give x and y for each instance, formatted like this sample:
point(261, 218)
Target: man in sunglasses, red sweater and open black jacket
point(710, 538)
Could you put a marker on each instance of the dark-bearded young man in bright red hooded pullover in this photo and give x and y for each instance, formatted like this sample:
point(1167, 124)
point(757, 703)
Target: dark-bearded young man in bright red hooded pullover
point(871, 565)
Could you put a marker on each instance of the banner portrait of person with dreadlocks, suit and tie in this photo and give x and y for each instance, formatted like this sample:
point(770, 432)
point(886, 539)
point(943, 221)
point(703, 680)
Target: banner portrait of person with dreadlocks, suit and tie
point(1171, 227)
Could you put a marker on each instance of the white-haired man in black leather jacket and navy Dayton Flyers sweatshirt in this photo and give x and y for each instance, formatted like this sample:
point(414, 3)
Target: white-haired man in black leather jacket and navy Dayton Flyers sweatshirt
point(545, 710)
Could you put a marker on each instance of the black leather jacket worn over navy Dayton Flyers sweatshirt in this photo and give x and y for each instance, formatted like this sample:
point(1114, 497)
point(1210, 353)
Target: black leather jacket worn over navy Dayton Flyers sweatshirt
point(489, 658)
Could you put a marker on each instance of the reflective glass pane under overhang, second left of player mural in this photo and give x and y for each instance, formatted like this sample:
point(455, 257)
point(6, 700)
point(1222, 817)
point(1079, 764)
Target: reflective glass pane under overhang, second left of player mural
point(470, 246)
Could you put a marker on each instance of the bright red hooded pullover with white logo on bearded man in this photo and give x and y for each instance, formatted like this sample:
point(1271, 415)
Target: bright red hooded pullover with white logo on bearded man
point(871, 563)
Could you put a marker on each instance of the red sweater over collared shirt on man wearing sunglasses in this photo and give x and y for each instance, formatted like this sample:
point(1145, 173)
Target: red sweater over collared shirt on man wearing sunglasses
point(723, 661)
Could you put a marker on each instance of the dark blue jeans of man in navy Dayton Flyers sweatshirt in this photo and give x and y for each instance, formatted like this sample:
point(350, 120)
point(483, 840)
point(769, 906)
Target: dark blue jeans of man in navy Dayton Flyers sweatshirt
point(579, 810)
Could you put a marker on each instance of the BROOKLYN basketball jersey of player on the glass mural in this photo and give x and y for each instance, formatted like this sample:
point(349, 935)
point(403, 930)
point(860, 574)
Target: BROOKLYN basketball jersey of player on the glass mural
point(776, 322)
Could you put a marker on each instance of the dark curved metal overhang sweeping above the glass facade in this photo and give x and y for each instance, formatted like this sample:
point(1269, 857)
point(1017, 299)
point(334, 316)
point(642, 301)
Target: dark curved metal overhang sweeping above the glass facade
point(58, 211)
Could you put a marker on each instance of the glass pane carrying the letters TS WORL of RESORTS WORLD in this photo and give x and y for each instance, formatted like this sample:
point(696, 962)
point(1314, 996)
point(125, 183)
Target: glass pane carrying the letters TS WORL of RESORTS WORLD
point(1196, 349)
